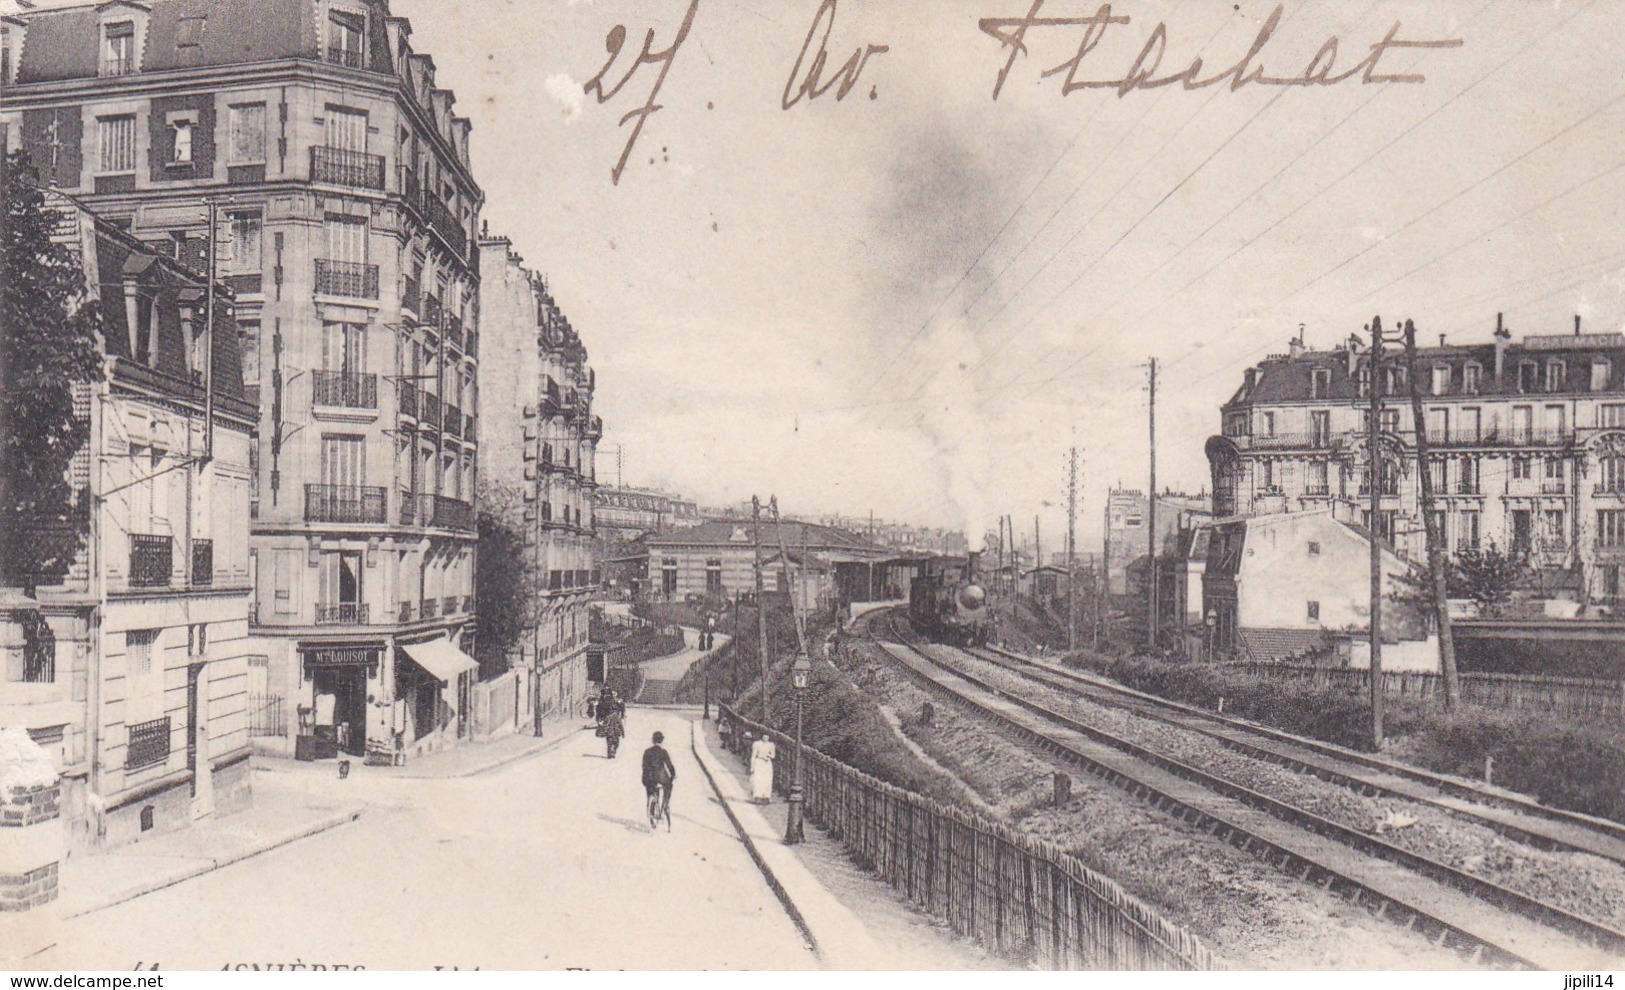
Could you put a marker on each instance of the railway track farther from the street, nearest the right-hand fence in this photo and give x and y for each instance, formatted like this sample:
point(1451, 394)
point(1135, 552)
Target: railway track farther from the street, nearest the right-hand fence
point(1512, 815)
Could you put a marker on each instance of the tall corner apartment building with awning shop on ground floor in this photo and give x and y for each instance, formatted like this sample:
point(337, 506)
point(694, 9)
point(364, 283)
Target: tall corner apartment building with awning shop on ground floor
point(347, 219)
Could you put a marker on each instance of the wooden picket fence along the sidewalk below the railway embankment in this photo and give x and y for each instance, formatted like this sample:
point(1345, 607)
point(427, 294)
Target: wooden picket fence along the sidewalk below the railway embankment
point(1021, 898)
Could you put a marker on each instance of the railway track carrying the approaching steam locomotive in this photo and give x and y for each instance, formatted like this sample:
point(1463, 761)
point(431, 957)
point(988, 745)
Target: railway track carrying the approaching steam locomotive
point(1484, 921)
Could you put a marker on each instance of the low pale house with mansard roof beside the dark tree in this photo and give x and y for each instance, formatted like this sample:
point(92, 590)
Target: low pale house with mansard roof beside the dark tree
point(132, 667)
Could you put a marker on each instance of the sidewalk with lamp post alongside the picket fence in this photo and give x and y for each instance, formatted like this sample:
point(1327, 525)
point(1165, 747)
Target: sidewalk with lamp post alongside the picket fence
point(854, 919)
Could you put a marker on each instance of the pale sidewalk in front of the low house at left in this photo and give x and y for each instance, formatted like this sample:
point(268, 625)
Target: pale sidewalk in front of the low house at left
point(280, 815)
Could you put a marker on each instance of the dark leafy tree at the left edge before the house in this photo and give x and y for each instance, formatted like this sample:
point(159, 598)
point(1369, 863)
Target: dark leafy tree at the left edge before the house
point(50, 345)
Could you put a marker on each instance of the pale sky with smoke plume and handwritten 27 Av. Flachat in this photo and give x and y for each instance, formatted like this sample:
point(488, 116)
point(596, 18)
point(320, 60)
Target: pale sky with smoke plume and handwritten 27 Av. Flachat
point(917, 297)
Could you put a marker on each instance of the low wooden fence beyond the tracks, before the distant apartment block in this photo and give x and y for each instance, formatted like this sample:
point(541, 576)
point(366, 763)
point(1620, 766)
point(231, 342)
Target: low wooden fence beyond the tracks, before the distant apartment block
point(1512, 692)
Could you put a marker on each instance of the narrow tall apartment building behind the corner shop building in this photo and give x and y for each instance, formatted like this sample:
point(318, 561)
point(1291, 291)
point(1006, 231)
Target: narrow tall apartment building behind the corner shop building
point(542, 440)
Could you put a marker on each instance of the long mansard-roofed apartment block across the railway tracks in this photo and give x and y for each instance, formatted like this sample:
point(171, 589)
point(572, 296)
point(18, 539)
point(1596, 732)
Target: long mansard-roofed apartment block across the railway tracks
point(1527, 448)
